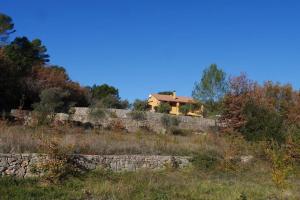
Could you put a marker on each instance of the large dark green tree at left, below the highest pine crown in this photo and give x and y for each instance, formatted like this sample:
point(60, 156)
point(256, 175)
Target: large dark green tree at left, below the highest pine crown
point(17, 62)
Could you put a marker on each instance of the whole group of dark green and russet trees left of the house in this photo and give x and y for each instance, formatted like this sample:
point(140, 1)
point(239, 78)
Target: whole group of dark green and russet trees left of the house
point(26, 75)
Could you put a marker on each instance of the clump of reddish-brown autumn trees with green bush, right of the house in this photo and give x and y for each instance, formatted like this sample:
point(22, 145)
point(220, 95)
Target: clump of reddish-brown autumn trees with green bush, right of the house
point(261, 112)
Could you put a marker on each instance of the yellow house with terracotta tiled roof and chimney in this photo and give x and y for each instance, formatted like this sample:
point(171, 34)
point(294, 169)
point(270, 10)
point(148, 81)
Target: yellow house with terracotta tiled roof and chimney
point(175, 102)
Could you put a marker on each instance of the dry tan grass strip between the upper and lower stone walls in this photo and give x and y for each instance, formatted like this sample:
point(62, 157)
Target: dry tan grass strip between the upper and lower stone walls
point(18, 139)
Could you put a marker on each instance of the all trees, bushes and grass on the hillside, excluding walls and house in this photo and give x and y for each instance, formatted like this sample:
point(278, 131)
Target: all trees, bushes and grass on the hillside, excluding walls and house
point(260, 120)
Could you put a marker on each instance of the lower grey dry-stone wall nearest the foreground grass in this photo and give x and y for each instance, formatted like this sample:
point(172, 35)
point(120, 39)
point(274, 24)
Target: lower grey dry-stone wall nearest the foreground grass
point(23, 165)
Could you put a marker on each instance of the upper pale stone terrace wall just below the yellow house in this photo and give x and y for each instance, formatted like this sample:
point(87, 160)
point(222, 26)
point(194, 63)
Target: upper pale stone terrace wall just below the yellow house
point(123, 119)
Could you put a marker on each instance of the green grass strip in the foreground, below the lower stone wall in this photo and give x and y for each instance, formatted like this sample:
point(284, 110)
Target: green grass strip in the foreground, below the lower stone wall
point(189, 183)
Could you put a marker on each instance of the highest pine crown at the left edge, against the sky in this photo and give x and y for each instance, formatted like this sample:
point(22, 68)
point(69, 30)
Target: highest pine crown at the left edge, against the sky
point(6, 28)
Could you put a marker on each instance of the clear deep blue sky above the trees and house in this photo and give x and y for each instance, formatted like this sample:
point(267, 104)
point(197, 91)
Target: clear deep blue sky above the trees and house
point(145, 46)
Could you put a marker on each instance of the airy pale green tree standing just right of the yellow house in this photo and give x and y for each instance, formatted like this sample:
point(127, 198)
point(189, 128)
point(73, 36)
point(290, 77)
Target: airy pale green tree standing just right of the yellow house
point(212, 86)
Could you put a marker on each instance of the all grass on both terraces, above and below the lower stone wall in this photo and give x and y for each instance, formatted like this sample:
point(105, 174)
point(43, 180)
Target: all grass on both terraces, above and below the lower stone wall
point(202, 180)
